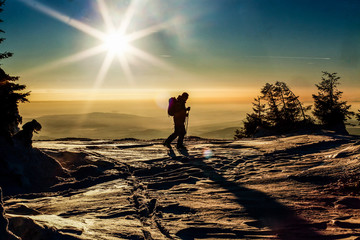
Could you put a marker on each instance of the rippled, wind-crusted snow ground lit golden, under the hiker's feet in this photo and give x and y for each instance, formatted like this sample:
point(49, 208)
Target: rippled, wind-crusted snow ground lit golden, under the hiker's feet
point(265, 188)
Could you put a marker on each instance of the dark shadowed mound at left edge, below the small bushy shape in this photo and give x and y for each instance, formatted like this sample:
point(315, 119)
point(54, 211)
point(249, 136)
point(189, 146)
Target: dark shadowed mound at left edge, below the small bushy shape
point(24, 169)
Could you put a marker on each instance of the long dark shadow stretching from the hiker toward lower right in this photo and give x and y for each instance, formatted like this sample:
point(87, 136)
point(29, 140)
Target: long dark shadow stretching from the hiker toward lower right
point(282, 221)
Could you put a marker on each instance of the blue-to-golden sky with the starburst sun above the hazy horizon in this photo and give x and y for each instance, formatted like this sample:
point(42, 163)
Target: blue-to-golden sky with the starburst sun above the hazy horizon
point(119, 49)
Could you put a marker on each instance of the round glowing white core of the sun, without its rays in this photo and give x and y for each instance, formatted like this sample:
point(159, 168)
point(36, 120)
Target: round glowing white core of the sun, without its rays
point(117, 43)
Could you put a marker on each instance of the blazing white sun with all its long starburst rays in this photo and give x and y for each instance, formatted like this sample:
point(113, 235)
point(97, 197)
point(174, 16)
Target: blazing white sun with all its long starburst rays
point(115, 41)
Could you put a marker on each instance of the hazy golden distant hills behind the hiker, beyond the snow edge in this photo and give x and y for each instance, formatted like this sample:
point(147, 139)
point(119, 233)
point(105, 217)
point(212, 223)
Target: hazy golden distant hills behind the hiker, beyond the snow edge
point(99, 125)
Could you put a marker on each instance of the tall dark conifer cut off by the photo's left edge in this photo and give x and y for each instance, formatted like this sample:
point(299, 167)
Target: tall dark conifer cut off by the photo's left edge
point(10, 96)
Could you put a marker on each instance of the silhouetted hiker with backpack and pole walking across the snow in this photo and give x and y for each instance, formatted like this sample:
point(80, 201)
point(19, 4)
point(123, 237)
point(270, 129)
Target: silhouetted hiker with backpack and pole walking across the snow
point(178, 110)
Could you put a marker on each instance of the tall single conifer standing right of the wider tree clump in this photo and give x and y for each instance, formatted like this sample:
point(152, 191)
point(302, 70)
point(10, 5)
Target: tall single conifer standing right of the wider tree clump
point(331, 112)
